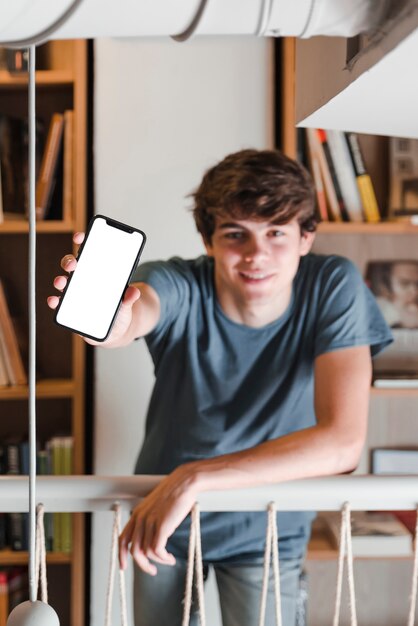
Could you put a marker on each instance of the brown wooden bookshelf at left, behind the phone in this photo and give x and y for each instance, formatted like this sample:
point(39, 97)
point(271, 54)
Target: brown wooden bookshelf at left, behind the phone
point(61, 85)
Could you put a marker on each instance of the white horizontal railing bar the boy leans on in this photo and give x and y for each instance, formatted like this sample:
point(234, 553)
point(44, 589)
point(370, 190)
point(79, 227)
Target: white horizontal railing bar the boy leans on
point(99, 493)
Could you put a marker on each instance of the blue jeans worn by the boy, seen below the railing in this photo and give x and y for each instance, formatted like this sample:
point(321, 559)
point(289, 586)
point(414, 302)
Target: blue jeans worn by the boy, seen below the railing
point(158, 600)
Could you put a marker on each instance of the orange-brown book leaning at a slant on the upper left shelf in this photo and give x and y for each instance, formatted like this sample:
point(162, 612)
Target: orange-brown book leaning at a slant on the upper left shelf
point(48, 169)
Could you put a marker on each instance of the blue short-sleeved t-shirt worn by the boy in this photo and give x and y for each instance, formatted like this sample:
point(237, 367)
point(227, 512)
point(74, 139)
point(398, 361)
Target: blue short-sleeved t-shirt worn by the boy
point(222, 386)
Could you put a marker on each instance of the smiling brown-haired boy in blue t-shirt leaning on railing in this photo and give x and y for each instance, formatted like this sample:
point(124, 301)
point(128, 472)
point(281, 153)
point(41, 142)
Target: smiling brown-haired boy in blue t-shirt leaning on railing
point(262, 356)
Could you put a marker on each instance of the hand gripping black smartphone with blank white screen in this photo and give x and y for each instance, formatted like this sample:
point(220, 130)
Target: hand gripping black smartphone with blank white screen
point(97, 301)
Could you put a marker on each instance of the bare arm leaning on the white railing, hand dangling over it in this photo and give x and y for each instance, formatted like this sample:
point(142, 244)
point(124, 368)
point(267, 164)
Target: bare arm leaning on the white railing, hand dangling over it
point(332, 446)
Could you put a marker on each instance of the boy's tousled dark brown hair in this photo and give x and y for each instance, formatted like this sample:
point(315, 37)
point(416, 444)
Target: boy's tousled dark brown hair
point(255, 184)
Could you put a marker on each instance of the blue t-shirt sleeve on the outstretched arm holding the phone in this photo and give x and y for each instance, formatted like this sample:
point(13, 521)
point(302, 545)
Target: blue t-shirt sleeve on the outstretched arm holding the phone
point(172, 284)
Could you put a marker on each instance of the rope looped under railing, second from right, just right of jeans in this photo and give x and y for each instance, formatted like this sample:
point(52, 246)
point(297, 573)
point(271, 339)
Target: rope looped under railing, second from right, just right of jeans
point(346, 550)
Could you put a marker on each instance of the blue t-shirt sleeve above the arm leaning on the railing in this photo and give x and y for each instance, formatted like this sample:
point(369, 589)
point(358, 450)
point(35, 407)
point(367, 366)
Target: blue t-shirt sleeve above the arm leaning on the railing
point(348, 314)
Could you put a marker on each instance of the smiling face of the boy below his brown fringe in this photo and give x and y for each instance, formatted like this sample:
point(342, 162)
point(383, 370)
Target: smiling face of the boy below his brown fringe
point(256, 261)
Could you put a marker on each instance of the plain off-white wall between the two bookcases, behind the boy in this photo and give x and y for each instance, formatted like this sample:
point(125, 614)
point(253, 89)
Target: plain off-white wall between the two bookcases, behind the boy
point(164, 112)
